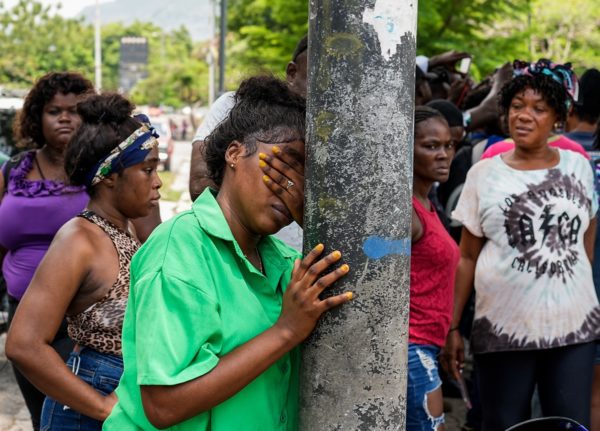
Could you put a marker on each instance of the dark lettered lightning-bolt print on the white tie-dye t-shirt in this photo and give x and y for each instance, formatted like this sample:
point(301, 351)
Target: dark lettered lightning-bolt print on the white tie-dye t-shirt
point(542, 225)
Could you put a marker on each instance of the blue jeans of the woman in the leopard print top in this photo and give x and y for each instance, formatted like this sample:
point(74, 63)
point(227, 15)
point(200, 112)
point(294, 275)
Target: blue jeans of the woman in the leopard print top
point(99, 370)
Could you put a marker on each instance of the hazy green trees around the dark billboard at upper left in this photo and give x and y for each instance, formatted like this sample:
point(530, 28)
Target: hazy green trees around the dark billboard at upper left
point(35, 40)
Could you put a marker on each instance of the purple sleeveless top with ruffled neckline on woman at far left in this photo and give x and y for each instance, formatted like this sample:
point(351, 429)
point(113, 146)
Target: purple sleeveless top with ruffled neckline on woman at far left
point(31, 212)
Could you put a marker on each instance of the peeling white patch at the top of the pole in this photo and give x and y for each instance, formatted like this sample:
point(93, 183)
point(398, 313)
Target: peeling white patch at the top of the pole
point(391, 22)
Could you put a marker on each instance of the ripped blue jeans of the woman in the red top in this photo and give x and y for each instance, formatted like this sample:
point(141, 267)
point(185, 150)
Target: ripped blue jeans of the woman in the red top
point(423, 378)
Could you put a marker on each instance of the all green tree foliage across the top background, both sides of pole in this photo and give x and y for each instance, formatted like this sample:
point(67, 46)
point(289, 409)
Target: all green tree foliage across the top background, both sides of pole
point(34, 39)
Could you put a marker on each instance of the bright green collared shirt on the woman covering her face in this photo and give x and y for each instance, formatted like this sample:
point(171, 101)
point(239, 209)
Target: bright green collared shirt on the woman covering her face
point(194, 298)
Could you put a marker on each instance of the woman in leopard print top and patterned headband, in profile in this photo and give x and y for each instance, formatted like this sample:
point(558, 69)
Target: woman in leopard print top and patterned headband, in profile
point(85, 274)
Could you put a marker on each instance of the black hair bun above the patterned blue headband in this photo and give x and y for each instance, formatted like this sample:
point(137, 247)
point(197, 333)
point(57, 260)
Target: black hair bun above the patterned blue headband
point(105, 109)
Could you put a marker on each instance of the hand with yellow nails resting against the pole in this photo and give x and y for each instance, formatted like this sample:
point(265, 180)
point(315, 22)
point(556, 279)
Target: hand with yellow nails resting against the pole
point(302, 306)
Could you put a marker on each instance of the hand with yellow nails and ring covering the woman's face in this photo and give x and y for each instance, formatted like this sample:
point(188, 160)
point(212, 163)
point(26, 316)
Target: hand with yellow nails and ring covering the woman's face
point(284, 176)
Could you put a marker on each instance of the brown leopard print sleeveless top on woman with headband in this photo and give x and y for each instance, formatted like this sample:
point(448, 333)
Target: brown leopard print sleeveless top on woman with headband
point(100, 325)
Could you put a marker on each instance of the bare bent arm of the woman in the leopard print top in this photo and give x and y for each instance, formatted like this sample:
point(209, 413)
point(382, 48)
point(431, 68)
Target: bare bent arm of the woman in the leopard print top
point(38, 317)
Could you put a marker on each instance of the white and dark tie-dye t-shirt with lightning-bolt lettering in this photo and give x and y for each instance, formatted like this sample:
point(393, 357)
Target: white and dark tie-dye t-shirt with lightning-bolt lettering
point(533, 278)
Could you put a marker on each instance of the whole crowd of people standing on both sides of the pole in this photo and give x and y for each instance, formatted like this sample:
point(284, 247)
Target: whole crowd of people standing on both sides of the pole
point(121, 322)
